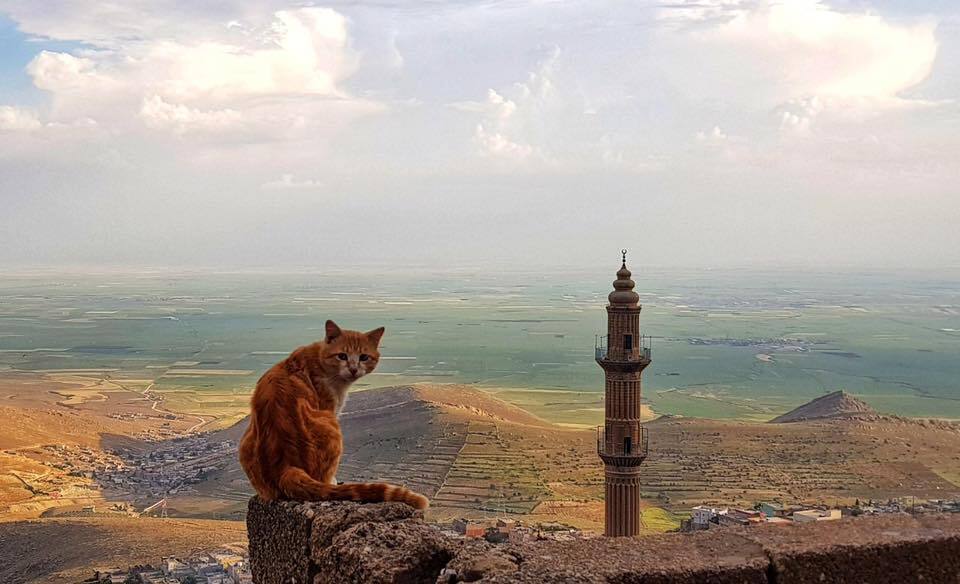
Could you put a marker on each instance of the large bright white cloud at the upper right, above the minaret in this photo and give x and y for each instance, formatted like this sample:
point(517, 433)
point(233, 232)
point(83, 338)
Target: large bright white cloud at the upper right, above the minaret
point(786, 53)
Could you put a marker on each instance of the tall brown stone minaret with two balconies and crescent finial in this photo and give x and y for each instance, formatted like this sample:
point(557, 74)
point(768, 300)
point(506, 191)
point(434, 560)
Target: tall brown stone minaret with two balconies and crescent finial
point(622, 441)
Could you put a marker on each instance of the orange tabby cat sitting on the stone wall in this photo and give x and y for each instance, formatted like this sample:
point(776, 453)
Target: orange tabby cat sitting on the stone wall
point(292, 448)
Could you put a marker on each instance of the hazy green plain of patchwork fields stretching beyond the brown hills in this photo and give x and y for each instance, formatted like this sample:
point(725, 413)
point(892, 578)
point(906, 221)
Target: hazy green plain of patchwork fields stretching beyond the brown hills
point(740, 344)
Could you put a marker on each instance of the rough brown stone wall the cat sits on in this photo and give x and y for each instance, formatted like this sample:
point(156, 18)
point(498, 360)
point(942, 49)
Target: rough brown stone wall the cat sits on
point(342, 543)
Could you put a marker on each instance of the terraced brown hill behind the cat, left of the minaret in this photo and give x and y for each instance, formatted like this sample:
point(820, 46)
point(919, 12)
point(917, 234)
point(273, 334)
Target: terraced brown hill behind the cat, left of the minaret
point(459, 445)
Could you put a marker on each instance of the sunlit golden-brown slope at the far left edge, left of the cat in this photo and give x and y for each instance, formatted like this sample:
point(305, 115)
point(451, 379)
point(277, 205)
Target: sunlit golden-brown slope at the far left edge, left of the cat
point(46, 422)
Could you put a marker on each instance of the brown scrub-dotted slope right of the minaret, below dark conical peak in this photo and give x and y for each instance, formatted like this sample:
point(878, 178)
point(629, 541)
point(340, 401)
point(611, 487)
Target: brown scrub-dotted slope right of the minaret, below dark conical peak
point(839, 459)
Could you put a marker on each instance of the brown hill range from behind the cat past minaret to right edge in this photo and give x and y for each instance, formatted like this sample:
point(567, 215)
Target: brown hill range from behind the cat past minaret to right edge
point(477, 456)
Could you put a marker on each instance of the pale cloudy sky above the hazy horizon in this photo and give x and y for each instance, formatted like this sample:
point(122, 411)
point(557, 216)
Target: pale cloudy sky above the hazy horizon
point(705, 133)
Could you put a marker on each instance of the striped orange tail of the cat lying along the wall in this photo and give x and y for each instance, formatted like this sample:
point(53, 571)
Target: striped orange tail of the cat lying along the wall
point(295, 483)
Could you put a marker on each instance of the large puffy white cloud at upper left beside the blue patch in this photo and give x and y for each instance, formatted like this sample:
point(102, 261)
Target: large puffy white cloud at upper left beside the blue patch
point(279, 79)
